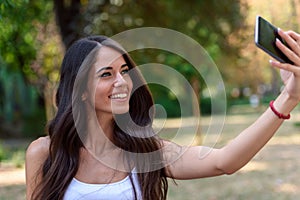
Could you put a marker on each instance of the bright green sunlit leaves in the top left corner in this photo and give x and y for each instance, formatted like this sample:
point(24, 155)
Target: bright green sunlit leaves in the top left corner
point(19, 32)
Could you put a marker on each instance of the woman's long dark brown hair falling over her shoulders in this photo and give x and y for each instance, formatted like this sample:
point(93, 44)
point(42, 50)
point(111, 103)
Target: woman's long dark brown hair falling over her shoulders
point(62, 162)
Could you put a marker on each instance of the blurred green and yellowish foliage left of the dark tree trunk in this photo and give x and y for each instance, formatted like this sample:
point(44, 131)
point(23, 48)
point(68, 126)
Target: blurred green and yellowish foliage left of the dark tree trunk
point(23, 80)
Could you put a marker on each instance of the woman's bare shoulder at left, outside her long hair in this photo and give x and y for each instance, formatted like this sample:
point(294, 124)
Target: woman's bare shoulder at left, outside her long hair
point(38, 149)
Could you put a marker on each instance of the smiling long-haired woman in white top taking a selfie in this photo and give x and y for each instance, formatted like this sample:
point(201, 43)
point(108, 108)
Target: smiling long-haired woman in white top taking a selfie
point(101, 144)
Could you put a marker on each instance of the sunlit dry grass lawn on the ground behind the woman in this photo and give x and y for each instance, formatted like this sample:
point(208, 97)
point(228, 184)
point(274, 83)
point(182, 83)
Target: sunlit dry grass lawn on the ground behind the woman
point(274, 173)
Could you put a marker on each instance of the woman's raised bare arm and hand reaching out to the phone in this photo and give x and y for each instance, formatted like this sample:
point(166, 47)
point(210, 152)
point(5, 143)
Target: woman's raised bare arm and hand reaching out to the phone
point(243, 148)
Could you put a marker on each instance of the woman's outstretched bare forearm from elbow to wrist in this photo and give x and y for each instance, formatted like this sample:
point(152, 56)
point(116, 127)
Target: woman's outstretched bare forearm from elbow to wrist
point(244, 147)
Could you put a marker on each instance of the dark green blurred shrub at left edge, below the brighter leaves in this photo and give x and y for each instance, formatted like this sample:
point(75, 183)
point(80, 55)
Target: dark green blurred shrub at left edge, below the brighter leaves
point(19, 106)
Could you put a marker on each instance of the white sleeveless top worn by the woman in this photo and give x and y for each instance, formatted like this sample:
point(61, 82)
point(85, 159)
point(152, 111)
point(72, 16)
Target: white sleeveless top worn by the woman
point(121, 190)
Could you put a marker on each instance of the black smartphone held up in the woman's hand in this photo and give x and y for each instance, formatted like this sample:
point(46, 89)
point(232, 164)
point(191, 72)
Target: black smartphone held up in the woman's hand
point(265, 38)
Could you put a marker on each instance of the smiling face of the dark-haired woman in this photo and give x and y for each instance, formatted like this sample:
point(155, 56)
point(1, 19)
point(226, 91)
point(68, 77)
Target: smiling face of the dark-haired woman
point(111, 83)
